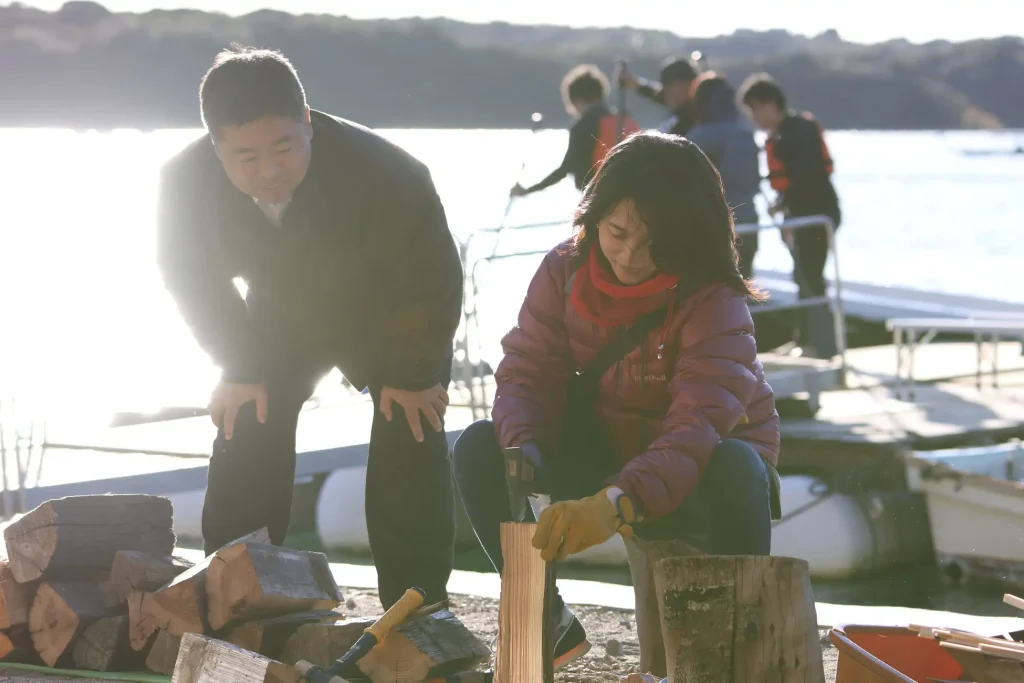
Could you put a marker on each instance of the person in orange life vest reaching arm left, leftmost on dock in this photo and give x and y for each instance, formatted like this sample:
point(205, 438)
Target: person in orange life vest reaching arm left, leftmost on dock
point(585, 91)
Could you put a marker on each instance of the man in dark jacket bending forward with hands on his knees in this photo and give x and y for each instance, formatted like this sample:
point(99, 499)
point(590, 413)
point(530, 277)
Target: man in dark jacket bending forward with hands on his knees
point(347, 254)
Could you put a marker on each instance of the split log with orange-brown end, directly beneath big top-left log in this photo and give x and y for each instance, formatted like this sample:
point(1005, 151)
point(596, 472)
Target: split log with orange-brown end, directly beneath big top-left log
point(61, 614)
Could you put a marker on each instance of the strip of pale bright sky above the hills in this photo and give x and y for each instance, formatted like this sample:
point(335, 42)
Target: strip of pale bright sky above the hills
point(863, 21)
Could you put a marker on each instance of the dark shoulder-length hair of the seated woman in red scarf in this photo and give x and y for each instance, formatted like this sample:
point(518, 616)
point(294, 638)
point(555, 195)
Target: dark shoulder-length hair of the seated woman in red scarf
point(678, 195)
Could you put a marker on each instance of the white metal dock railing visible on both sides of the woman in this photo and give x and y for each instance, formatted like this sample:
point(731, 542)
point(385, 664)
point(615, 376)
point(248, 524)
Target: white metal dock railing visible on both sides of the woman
point(475, 379)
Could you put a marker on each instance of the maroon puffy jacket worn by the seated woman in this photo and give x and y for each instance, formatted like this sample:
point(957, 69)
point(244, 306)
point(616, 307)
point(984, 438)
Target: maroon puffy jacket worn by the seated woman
point(663, 418)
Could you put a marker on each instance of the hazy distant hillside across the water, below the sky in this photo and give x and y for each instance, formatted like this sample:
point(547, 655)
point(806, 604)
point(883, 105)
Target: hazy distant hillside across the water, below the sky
point(84, 67)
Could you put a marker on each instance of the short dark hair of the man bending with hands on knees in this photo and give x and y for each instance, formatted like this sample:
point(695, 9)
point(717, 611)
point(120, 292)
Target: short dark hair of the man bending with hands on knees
point(245, 84)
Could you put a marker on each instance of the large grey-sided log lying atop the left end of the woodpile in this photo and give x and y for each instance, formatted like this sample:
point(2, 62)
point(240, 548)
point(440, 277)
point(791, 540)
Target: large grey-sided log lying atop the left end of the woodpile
point(64, 538)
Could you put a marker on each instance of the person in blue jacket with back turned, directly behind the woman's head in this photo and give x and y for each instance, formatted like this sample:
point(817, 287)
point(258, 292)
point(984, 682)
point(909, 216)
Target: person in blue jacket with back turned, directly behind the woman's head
point(724, 136)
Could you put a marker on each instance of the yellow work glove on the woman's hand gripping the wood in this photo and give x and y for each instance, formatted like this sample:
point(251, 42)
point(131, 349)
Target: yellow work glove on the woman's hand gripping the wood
point(572, 527)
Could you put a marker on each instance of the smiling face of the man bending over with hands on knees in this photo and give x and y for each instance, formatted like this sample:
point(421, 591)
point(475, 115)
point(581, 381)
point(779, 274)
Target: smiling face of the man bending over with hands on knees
point(268, 158)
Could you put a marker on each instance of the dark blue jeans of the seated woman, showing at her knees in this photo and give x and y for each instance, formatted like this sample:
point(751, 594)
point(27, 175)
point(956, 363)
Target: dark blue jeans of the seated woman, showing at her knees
point(729, 514)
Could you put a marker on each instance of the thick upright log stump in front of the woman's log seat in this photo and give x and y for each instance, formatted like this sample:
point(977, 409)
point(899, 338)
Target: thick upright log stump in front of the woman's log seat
point(739, 619)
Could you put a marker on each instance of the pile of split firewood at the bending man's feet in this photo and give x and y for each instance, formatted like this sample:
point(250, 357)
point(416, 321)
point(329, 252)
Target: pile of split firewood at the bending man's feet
point(93, 583)
